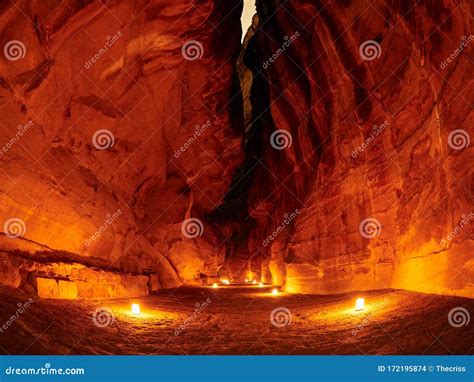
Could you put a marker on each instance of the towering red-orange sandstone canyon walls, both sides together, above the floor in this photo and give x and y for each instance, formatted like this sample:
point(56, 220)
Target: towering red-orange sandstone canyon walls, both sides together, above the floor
point(319, 90)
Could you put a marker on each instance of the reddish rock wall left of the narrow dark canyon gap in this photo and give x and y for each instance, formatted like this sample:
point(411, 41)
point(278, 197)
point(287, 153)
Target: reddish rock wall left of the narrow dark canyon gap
point(116, 128)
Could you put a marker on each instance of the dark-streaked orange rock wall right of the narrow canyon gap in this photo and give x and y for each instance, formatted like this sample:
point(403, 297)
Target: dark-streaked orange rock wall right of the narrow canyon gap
point(370, 182)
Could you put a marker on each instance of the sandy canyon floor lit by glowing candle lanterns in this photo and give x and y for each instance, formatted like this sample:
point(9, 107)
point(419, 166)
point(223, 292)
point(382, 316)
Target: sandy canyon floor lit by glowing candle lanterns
point(237, 320)
